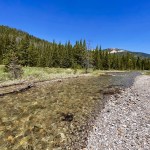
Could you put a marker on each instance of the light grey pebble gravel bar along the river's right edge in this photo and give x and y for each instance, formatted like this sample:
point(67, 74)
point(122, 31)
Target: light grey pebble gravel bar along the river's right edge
point(124, 123)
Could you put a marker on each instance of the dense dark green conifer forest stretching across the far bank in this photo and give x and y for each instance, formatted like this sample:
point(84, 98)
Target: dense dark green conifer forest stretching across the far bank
point(32, 51)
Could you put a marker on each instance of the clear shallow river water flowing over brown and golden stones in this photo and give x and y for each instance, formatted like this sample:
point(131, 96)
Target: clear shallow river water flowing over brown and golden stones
point(55, 115)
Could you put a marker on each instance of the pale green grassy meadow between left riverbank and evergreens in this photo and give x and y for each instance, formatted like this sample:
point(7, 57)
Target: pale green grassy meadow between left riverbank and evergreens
point(39, 73)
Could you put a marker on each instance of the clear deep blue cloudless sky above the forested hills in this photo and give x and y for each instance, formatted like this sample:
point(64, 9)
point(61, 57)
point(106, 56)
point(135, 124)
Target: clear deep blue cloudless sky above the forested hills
point(109, 23)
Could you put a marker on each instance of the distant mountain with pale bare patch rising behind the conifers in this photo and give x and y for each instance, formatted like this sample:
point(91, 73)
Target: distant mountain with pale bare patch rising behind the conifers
point(122, 51)
